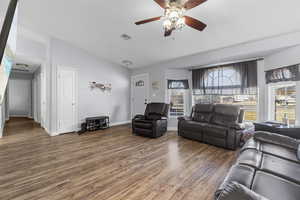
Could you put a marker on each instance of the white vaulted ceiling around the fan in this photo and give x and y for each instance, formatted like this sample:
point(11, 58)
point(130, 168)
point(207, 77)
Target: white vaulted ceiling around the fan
point(96, 26)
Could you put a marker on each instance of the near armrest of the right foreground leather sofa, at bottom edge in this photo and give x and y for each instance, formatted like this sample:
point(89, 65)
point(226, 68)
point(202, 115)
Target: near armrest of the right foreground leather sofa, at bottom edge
point(236, 191)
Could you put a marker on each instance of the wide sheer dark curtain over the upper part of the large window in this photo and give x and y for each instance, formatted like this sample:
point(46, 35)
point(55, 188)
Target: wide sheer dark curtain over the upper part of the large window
point(238, 78)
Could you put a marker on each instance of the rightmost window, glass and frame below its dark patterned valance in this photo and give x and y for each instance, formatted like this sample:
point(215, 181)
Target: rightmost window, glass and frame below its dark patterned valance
point(283, 103)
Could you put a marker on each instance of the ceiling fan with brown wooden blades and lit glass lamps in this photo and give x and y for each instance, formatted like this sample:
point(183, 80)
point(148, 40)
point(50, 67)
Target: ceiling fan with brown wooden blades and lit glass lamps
point(174, 18)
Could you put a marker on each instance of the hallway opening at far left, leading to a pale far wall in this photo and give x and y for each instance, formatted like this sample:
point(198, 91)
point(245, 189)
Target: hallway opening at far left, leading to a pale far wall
point(24, 91)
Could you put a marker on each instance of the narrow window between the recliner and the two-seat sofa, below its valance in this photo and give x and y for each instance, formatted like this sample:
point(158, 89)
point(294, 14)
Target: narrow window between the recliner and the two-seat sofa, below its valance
point(177, 102)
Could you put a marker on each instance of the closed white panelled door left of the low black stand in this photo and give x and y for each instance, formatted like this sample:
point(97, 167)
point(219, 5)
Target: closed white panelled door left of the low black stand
point(66, 100)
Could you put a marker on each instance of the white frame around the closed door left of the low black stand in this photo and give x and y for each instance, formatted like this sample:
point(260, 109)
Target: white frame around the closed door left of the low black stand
point(76, 121)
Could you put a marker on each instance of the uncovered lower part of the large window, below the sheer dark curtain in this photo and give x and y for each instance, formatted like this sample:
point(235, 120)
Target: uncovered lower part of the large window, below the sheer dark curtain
point(247, 102)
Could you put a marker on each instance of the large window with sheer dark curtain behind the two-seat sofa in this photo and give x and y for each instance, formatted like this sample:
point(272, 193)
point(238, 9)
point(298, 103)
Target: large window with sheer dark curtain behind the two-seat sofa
point(234, 84)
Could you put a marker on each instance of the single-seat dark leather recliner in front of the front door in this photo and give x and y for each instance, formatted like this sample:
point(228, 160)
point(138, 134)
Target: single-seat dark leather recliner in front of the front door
point(153, 123)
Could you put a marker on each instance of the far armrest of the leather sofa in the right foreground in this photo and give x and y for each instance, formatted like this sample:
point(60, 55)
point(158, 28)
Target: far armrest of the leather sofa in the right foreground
point(277, 139)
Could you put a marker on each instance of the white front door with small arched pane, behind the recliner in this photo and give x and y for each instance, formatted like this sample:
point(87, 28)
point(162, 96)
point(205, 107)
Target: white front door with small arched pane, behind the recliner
point(139, 99)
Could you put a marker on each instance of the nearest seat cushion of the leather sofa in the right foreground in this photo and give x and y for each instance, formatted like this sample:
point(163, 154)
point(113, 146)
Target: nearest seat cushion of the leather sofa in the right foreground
point(274, 187)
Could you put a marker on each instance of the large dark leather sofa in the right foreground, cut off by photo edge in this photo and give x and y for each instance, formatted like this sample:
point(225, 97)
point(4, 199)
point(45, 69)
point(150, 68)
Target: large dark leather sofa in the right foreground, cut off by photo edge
point(268, 167)
